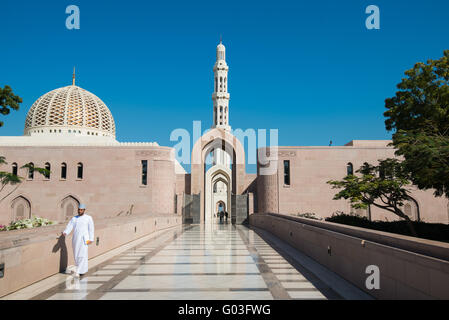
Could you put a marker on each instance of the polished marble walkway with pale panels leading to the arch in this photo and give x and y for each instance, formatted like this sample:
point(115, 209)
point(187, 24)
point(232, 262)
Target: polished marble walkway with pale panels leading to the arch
point(197, 262)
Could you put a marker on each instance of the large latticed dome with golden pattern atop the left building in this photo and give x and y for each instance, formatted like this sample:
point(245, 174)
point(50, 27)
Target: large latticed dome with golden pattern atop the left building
point(70, 110)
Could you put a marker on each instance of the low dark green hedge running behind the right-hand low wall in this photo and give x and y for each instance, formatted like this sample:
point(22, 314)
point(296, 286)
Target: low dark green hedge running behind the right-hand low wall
point(431, 231)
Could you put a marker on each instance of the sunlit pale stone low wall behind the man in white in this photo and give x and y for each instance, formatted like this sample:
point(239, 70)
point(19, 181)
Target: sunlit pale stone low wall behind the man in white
point(34, 254)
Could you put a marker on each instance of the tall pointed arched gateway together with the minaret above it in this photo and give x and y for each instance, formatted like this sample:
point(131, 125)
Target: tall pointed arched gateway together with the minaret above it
point(222, 181)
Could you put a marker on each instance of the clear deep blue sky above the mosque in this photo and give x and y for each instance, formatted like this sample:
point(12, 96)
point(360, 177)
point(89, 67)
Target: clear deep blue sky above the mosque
point(308, 68)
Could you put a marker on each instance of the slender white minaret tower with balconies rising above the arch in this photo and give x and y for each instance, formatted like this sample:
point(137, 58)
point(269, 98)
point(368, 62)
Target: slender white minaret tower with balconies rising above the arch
point(220, 97)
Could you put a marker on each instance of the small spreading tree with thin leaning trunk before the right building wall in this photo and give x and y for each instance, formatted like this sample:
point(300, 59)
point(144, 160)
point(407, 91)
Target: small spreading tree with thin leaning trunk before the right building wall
point(383, 186)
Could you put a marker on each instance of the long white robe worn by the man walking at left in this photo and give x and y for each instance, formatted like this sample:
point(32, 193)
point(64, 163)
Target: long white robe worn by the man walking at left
point(83, 230)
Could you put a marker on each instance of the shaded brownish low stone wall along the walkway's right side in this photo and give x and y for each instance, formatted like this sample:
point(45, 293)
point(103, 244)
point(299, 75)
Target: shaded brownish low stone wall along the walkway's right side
point(406, 271)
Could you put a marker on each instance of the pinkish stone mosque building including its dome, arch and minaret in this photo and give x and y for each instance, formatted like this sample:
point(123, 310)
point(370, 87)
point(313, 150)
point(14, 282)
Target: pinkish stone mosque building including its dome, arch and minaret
point(71, 132)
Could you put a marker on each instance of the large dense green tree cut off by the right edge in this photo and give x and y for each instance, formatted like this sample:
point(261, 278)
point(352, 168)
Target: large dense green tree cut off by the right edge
point(419, 116)
